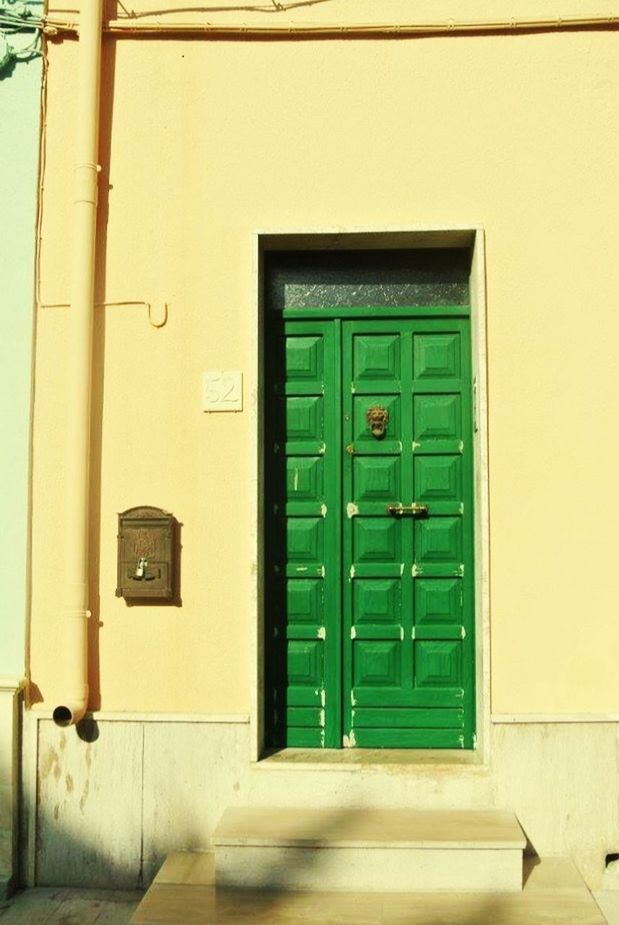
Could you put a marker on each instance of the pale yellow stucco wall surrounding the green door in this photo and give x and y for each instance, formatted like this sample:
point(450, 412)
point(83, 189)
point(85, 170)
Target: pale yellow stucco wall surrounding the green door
point(205, 142)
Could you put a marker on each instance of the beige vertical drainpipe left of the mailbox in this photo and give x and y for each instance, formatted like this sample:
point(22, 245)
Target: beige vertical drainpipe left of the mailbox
point(79, 358)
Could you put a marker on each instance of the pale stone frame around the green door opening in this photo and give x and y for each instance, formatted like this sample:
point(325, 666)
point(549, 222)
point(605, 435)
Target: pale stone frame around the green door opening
point(370, 239)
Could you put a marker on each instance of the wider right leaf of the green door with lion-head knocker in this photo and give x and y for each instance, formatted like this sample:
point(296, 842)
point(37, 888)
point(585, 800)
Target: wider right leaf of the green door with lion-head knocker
point(404, 629)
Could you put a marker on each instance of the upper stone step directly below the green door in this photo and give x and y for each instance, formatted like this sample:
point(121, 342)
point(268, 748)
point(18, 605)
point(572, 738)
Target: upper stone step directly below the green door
point(369, 849)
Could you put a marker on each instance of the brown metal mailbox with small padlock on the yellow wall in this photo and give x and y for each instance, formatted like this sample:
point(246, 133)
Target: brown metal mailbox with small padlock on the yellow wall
point(147, 555)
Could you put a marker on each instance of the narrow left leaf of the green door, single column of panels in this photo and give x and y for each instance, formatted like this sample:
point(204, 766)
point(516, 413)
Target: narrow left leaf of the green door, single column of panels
point(302, 538)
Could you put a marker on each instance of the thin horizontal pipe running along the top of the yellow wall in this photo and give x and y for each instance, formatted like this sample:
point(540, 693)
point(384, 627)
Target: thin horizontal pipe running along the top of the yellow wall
point(135, 26)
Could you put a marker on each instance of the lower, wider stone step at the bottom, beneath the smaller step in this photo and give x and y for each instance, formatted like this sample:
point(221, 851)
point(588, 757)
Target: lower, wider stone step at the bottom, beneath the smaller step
point(184, 894)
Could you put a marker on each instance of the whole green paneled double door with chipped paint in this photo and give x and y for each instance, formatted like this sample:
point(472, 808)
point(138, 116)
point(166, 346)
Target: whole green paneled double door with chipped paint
point(369, 534)
